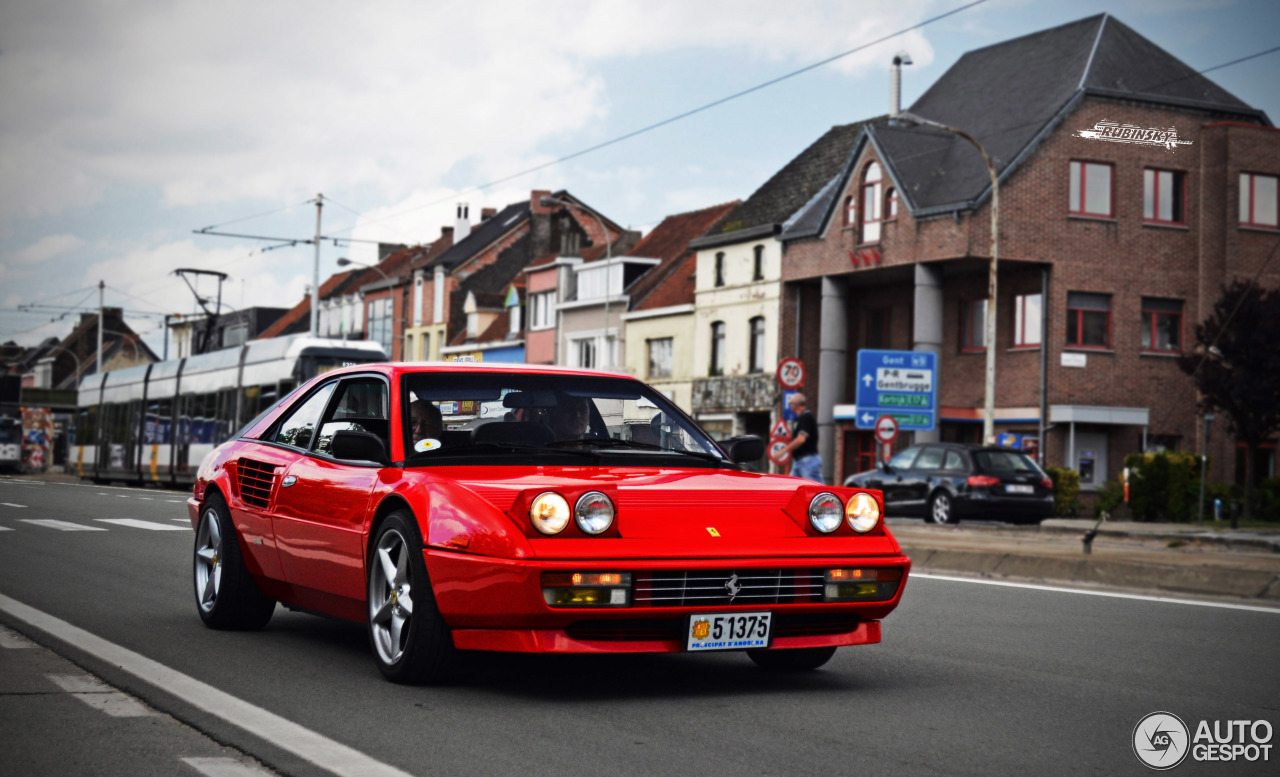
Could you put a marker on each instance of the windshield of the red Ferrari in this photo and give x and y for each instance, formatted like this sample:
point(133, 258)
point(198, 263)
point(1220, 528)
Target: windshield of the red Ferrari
point(545, 419)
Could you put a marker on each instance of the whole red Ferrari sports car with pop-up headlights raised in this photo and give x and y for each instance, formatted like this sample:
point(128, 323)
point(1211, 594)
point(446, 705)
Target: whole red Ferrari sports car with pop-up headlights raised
point(541, 510)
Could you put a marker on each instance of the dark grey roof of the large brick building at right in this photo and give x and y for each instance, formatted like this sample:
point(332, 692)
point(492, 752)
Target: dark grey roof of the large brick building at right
point(1008, 94)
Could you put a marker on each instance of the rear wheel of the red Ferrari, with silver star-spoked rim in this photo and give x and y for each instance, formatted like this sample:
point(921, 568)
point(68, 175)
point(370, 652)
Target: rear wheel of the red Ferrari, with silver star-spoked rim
point(226, 595)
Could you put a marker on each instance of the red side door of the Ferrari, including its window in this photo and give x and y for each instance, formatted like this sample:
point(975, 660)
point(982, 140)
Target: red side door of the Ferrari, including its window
point(323, 502)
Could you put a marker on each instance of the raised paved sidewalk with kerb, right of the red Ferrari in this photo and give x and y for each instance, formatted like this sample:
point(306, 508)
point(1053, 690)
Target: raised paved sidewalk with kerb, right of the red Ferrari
point(1158, 557)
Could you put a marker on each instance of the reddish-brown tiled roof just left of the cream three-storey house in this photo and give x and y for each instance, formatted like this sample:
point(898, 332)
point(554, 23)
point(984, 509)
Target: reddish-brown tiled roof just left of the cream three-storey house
point(669, 241)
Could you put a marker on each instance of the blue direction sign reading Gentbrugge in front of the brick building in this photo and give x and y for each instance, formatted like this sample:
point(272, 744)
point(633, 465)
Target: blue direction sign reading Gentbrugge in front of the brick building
point(903, 385)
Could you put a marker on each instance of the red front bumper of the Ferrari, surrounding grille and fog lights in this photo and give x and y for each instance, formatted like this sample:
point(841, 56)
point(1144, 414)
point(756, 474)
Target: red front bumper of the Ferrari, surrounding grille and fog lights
point(499, 605)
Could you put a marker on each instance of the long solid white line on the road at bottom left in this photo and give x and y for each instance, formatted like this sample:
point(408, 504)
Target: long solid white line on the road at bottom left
point(304, 743)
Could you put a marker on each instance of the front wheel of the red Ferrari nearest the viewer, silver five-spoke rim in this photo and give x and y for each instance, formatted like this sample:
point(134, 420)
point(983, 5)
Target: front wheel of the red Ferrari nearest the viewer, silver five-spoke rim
point(410, 641)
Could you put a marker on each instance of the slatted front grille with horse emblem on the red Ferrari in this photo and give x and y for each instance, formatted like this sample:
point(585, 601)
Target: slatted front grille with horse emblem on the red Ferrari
point(715, 588)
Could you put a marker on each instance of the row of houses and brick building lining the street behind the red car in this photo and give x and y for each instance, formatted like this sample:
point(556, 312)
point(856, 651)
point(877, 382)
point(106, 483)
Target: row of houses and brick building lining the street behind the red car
point(1132, 190)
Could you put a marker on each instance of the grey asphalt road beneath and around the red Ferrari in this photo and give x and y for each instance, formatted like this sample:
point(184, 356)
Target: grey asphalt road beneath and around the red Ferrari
point(971, 679)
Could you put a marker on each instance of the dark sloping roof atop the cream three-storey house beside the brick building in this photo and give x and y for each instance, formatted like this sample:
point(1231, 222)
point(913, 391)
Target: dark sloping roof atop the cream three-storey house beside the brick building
point(796, 185)
